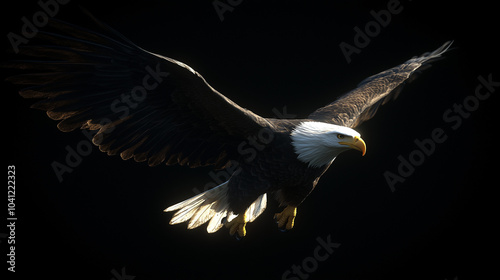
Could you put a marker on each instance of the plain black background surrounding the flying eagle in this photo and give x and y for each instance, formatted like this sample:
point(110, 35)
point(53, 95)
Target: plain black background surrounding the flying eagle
point(107, 214)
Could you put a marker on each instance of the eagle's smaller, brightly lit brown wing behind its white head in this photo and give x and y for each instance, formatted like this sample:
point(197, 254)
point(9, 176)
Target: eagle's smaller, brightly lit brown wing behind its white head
point(362, 103)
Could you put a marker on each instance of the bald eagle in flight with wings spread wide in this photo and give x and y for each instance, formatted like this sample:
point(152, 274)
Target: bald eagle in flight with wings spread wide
point(156, 109)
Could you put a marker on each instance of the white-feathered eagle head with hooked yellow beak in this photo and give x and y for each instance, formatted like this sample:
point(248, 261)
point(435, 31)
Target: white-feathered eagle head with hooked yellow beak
point(319, 143)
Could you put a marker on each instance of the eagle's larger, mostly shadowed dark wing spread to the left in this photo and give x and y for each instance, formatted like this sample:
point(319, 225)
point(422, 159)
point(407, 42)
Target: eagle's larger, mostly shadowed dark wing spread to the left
point(142, 105)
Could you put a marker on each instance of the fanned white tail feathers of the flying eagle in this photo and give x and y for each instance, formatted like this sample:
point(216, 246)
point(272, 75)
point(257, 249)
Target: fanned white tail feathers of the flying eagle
point(213, 206)
